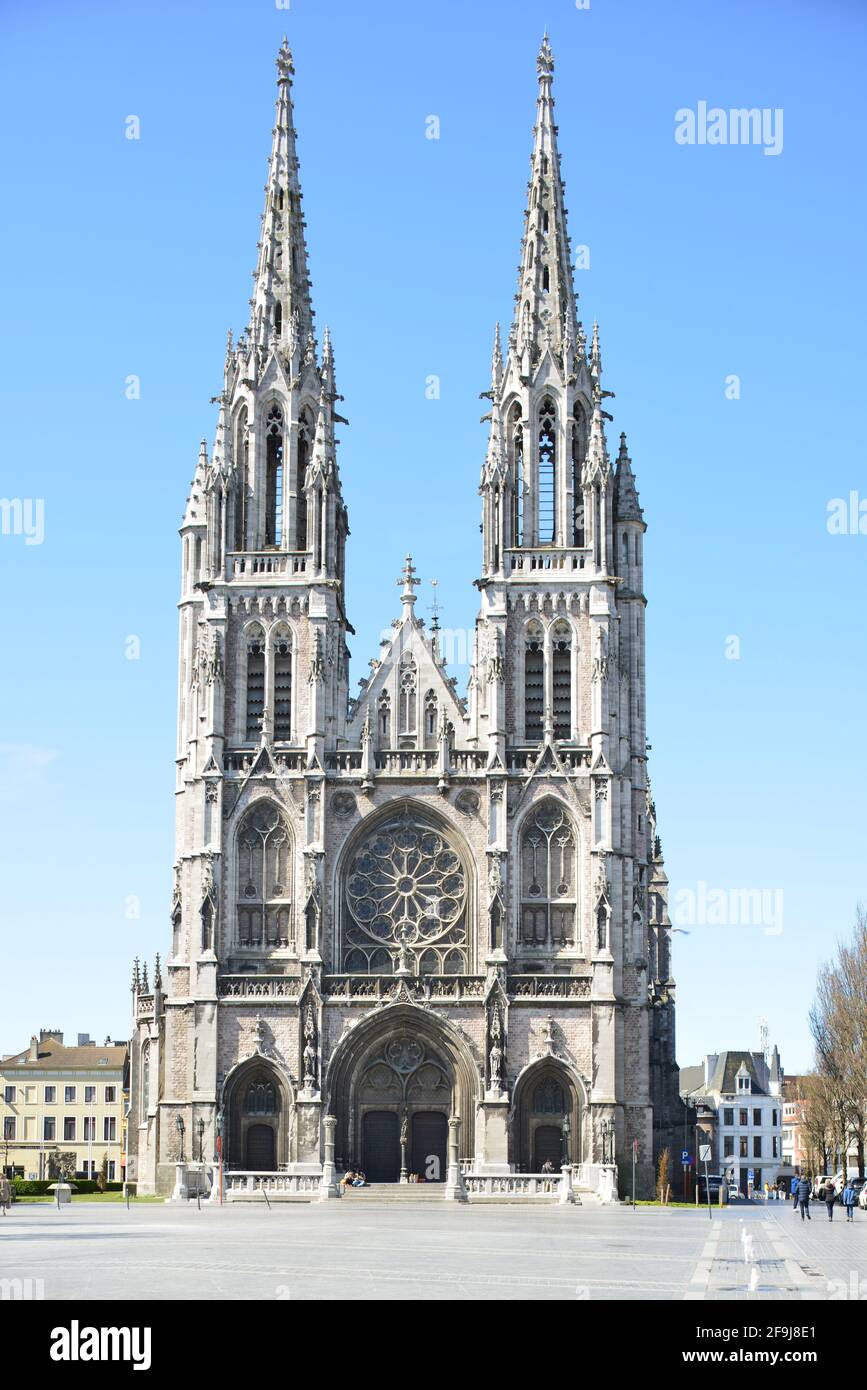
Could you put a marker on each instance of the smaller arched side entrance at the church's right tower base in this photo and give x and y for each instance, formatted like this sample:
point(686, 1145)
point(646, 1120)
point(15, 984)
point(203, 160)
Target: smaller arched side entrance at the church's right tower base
point(545, 1097)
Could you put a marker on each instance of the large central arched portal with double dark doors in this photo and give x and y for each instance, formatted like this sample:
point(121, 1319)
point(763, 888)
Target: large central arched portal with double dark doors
point(393, 1086)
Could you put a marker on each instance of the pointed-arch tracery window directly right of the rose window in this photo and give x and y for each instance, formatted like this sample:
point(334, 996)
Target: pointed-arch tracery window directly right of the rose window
point(548, 879)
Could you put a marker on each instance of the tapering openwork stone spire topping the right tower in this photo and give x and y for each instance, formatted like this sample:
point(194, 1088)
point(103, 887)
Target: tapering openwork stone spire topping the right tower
point(545, 304)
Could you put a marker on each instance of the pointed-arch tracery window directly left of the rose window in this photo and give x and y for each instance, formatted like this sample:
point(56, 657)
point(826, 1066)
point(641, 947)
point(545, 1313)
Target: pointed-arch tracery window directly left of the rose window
point(265, 879)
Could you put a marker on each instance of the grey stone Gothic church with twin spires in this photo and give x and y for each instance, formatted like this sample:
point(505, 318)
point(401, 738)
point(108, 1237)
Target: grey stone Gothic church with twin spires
point(412, 932)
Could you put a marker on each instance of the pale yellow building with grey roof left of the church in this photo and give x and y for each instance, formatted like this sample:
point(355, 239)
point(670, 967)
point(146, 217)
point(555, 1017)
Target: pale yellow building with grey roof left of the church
point(63, 1100)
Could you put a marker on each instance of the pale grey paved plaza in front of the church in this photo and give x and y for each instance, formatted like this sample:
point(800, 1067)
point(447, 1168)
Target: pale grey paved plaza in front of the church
point(354, 1250)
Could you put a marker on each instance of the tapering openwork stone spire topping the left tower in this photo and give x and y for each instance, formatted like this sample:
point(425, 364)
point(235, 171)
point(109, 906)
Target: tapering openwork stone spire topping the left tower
point(281, 308)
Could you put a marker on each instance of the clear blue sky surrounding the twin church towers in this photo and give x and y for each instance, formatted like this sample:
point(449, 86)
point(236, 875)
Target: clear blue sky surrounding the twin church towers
point(134, 258)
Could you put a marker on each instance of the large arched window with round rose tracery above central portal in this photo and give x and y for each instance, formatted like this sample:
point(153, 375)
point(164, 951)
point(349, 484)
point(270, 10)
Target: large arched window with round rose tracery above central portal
point(406, 897)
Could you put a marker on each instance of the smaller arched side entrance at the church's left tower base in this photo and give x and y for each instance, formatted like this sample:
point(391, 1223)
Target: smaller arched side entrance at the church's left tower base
point(258, 1118)
